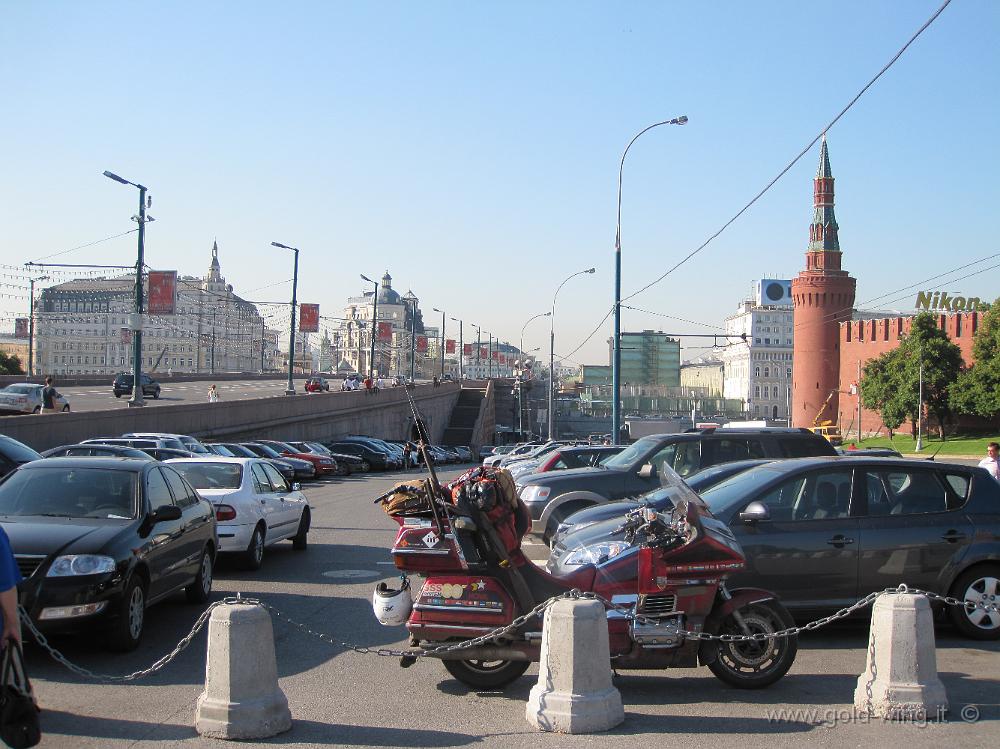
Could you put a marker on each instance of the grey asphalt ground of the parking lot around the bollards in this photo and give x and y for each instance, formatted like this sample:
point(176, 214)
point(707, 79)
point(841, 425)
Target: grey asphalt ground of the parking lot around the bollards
point(340, 697)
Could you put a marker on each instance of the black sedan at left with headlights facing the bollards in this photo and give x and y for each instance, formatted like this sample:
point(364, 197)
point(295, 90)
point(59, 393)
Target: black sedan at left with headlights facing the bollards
point(98, 540)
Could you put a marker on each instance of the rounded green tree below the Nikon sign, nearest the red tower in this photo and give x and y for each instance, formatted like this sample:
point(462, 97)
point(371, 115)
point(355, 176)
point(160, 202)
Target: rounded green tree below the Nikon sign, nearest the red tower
point(890, 383)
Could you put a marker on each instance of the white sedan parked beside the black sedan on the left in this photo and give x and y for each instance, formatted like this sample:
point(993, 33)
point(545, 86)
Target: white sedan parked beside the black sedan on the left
point(254, 506)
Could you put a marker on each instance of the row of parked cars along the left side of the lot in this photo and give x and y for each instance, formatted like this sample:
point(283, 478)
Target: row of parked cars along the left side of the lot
point(106, 527)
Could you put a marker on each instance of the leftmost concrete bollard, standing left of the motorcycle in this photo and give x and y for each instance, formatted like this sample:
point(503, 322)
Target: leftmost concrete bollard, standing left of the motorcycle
point(242, 699)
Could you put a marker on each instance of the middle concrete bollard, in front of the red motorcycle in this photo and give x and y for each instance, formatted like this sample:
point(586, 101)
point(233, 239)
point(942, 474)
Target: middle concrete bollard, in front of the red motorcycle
point(574, 693)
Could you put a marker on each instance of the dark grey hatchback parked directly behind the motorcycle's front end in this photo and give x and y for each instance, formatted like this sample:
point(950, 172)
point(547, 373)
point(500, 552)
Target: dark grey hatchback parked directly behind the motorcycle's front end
point(824, 532)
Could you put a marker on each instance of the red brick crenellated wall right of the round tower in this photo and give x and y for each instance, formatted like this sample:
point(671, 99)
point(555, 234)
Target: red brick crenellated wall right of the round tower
point(861, 340)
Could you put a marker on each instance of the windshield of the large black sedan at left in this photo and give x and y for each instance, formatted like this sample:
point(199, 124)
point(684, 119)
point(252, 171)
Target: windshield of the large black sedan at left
point(70, 493)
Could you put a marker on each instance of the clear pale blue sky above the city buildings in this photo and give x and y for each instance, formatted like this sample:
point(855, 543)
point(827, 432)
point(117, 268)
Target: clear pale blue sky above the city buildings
point(472, 149)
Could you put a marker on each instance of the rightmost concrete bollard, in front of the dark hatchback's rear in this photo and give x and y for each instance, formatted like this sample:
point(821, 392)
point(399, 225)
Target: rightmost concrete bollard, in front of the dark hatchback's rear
point(901, 673)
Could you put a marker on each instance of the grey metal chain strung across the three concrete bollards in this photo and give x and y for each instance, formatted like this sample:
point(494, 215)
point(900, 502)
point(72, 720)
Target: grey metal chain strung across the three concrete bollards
point(494, 635)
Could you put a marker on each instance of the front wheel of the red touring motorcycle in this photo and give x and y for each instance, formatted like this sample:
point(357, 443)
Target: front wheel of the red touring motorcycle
point(753, 664)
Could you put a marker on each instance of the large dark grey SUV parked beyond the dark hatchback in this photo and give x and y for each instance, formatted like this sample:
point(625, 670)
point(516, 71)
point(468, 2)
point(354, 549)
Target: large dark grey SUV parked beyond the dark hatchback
point(550, 497)
